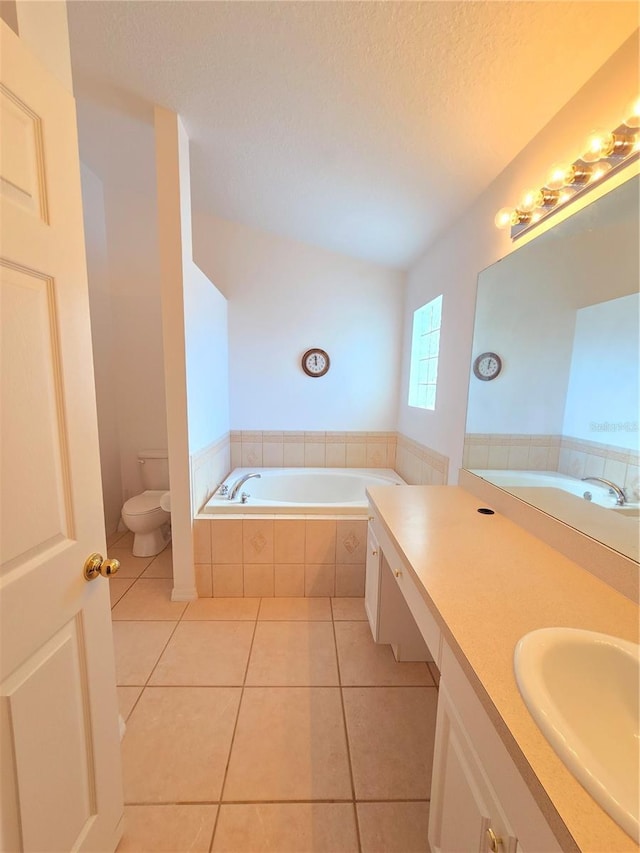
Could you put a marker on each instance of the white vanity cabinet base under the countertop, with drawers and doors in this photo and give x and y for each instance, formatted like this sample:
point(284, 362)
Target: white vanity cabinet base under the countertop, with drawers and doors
point(479, 799)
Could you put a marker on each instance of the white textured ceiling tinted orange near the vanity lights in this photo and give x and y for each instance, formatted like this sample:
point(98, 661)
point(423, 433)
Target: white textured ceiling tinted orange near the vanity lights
point(362, 127)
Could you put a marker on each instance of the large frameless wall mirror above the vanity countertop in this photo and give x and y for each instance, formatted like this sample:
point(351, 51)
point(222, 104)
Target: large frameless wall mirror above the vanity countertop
point(563, 312)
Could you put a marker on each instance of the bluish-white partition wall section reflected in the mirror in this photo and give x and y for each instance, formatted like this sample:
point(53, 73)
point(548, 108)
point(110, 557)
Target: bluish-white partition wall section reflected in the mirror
point(602, 400)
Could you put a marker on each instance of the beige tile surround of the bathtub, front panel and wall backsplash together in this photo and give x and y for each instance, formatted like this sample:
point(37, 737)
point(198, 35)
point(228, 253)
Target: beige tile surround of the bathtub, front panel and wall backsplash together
point(225, 566)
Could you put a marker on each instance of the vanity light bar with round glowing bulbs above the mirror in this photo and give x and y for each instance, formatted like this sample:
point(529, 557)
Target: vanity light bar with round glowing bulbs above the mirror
point(604, 154)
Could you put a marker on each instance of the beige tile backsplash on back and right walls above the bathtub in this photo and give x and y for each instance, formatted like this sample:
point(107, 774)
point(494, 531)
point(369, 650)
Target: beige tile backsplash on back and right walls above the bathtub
point(416, 463)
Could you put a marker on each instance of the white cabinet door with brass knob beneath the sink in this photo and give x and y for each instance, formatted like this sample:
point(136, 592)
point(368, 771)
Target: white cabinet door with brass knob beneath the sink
point(464, 816)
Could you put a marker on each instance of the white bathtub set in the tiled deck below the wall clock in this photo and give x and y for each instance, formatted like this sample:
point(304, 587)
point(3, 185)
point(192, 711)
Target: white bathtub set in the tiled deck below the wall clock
point(302, 491)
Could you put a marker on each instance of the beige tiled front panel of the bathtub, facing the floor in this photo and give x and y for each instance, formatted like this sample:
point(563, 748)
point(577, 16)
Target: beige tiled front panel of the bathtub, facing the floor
point(262, 557)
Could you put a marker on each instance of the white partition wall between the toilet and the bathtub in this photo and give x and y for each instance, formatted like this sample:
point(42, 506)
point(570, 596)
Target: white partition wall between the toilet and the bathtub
point(195, 343)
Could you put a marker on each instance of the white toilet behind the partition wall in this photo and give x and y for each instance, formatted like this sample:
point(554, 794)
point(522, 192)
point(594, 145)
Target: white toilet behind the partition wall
point(143, 514)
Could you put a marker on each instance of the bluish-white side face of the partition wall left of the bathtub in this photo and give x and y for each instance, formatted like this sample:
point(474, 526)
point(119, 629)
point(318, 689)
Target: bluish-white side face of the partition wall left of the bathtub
point(207, 348)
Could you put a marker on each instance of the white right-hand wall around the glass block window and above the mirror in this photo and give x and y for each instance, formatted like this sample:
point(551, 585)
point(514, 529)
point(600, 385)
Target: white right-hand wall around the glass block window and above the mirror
point(452, 263)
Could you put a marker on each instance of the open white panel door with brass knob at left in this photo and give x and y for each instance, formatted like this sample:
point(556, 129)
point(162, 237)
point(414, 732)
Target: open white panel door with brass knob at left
point(60, 787)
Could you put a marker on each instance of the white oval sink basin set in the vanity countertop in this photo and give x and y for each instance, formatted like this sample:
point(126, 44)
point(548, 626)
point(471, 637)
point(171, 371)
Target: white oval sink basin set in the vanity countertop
point(582, 689)
